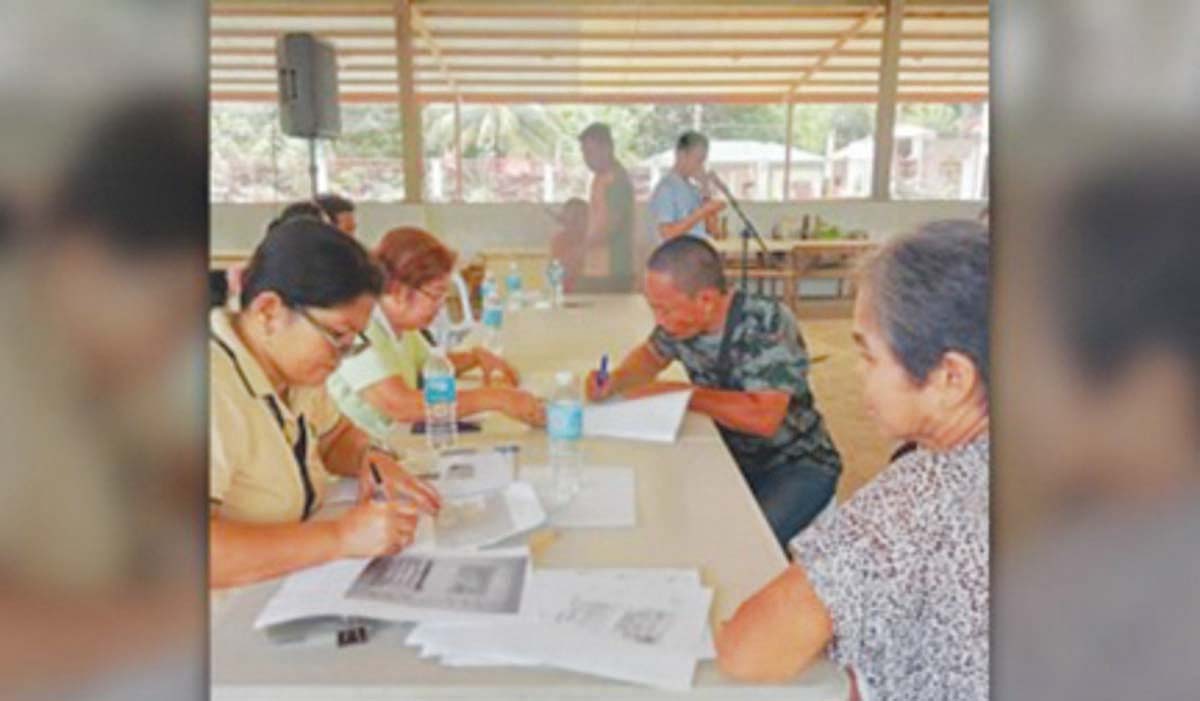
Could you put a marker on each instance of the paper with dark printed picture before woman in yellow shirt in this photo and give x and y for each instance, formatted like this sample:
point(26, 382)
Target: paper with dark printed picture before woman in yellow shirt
point(455, 586)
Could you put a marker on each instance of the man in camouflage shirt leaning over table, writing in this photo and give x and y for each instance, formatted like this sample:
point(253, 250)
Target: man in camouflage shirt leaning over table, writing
point(748, 367)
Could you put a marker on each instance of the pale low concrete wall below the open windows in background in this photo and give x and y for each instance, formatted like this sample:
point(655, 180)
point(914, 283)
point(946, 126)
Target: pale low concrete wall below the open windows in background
point(472, 227)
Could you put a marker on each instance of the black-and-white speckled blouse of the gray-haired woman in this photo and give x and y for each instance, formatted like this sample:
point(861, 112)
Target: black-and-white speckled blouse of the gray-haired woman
point(903, 571)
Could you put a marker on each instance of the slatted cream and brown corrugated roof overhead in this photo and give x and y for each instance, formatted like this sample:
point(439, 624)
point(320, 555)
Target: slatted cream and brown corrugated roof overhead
point(613, 52)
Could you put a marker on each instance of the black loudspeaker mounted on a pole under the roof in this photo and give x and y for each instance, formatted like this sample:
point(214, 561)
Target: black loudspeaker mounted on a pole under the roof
point(308, 87)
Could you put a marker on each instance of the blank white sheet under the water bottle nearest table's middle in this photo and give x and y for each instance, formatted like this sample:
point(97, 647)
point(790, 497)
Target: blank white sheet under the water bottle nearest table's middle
point(607, 499)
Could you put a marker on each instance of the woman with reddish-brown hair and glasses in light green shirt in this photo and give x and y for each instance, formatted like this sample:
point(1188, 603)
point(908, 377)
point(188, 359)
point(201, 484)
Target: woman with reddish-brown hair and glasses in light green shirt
point(382, 386)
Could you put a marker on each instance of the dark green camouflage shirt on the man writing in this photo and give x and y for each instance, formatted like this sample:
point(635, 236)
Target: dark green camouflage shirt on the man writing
point(766, 354)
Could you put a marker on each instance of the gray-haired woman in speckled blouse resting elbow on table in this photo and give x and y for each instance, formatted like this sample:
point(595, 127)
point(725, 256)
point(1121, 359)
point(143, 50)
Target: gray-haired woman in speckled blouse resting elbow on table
point(895, 584)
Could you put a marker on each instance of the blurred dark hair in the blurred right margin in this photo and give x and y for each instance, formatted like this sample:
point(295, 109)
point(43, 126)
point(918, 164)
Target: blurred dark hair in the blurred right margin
point(1124, 262)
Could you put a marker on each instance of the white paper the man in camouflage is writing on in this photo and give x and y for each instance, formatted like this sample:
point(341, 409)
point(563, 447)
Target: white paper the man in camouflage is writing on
point(656, 420)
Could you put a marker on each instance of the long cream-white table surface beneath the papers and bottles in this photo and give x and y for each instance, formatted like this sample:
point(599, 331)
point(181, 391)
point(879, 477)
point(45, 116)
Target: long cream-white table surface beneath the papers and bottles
point(694, 511)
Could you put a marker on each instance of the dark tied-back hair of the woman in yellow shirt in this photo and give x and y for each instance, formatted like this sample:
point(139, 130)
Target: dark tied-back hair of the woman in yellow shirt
point(310, 263)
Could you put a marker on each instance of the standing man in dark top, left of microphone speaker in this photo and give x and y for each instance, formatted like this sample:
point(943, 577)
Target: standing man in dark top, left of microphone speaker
point(609, 257)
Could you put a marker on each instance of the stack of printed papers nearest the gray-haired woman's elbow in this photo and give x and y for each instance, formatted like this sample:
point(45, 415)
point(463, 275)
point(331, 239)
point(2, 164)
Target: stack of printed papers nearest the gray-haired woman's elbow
point(647, 627)
